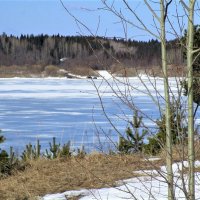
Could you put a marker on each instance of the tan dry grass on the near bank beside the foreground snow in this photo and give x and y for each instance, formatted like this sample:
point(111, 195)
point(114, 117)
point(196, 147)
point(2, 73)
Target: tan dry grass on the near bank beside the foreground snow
point(59, 175)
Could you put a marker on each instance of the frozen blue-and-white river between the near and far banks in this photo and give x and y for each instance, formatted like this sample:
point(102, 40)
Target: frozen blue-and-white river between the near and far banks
point(69, 109)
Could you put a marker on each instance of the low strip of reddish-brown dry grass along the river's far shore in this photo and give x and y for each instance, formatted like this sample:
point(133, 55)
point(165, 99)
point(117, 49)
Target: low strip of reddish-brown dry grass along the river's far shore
point(84, 70)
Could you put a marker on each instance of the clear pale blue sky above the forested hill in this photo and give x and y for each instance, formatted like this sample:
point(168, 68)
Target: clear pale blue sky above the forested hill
point(50, 17)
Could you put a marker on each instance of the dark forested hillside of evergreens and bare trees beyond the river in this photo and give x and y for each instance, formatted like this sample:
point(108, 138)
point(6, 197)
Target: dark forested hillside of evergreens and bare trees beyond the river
point(96, 52)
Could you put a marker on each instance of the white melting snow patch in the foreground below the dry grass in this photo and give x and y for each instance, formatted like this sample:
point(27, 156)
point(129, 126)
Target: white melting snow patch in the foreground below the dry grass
point(144, 187)
